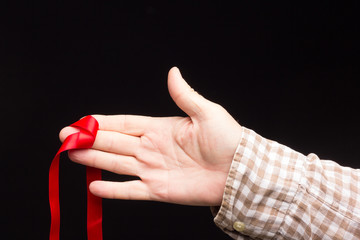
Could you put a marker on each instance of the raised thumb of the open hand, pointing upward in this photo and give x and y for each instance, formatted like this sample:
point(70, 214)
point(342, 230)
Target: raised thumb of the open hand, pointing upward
point(184, 96)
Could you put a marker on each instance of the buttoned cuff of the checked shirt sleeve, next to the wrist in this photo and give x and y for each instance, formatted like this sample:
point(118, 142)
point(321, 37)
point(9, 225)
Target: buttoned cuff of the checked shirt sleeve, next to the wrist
point(263, 180)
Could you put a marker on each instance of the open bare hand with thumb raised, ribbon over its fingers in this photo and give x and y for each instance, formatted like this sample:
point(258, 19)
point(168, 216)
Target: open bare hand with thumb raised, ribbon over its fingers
point(182, 160)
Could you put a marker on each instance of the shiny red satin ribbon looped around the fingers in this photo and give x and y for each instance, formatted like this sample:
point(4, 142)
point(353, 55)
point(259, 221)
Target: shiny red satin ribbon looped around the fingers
point(85, 138)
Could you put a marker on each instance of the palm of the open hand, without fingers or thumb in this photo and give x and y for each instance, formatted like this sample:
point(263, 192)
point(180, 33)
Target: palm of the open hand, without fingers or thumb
point(185, 161)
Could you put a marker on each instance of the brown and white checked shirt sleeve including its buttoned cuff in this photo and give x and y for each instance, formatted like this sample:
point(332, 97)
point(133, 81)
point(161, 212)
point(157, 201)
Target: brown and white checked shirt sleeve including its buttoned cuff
point(274, 192)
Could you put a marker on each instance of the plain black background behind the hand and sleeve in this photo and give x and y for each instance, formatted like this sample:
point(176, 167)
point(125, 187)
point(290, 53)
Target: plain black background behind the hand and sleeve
point(288, 70)
